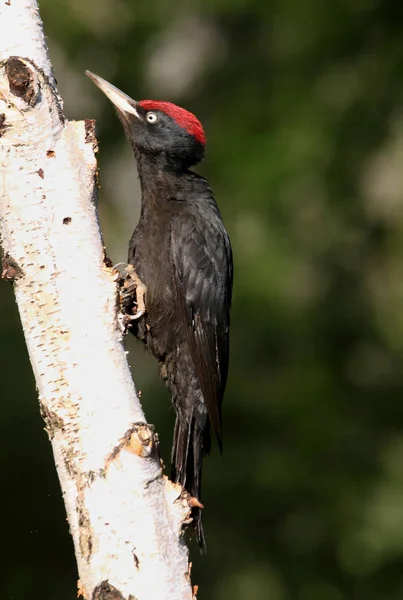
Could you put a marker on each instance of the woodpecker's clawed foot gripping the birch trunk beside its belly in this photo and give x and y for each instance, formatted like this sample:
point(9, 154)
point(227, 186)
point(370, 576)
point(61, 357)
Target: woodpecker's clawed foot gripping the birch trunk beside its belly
point(132, 293)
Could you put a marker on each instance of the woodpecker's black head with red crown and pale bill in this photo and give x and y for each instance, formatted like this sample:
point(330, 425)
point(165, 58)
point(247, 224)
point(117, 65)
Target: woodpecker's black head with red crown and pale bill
point(161, 131)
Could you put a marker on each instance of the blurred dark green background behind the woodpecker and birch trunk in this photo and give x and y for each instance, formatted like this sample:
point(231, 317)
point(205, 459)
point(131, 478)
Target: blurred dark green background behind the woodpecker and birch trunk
point(302, 106)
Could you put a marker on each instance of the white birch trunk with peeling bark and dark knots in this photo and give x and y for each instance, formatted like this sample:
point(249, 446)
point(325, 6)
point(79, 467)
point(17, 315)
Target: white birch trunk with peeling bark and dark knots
point(125, 517)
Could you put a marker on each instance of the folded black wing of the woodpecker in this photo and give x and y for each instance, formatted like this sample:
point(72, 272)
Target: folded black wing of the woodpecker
point(202, 266)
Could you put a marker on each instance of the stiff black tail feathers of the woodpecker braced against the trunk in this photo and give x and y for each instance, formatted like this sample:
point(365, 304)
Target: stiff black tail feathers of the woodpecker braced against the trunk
point(190, 444)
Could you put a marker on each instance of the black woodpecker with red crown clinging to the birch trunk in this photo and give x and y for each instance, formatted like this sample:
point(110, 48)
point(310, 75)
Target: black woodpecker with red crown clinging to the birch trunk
point(181, 253)
